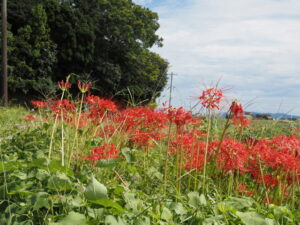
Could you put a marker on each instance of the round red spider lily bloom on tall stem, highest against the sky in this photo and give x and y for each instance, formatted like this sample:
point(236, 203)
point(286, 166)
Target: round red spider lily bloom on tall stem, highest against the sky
point(211, 98)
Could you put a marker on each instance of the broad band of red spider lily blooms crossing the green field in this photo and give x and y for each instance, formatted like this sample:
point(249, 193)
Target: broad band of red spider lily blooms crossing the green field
point(272, 163)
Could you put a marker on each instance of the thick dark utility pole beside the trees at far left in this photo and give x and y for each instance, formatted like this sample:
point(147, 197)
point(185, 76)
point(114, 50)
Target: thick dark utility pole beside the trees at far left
point(4, 91)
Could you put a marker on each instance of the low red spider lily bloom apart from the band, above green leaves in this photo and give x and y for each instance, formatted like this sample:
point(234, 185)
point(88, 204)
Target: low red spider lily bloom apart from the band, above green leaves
point(106, 151)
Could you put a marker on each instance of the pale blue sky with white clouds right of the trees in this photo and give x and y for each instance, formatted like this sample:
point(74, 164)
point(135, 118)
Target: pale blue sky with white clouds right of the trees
point(250, 48)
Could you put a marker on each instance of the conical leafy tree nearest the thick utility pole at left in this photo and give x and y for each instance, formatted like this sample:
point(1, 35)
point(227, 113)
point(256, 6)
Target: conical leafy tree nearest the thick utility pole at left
point(32, 56)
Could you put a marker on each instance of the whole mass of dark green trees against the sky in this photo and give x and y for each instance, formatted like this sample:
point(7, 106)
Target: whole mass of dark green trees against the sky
point(106, 41)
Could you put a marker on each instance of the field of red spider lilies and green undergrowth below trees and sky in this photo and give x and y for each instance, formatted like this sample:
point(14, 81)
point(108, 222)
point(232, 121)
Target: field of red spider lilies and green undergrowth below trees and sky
point(86, 160)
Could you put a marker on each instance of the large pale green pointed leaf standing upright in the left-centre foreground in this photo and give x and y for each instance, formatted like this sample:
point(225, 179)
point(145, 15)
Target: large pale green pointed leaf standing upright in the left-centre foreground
point(95, 190)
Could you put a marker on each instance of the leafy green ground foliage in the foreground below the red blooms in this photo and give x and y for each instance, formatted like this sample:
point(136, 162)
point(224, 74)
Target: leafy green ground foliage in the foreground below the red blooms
point(126, 190)
